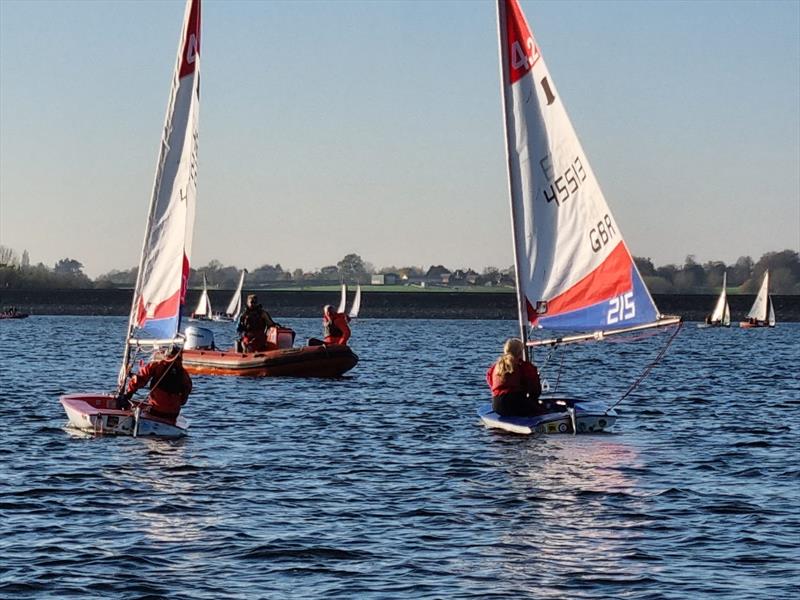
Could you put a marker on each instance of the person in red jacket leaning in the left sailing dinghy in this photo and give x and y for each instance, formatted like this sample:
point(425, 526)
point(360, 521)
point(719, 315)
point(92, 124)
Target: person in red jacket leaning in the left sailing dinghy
point(170, 385)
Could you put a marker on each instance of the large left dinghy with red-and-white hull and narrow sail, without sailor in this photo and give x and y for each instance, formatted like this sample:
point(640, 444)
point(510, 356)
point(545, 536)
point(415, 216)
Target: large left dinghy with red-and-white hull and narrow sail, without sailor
point(164, 265)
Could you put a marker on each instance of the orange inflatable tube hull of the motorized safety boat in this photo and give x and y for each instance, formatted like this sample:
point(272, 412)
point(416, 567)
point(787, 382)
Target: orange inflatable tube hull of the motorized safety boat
point(308, 361)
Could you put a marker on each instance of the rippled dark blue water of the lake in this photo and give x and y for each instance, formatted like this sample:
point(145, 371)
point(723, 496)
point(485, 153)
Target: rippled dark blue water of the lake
point(384, 485)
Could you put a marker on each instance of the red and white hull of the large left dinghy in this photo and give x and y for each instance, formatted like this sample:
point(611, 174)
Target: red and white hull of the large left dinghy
point(96, 414)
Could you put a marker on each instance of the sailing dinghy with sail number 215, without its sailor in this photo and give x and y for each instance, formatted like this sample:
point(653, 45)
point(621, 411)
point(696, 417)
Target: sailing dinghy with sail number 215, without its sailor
point(573, 269)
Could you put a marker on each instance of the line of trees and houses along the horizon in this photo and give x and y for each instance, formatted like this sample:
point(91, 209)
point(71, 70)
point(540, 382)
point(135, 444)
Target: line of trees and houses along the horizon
point(744, 276)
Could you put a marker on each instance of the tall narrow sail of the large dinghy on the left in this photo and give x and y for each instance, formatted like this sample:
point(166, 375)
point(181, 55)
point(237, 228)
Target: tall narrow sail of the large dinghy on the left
point(164, 268)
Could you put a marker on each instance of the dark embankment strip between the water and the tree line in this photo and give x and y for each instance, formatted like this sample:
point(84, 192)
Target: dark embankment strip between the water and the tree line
point(417, 304)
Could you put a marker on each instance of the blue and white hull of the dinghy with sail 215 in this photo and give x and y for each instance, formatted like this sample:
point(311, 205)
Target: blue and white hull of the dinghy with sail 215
point(590, 417)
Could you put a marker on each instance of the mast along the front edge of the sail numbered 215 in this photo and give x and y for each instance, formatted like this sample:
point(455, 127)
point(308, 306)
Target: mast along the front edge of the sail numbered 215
point(505, 83)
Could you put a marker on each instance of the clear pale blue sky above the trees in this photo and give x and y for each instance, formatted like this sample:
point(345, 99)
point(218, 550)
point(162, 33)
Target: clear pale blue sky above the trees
point(376, 127)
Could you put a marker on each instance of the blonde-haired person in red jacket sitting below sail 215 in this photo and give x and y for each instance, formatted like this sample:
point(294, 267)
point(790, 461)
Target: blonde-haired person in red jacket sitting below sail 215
point(514, 381)
